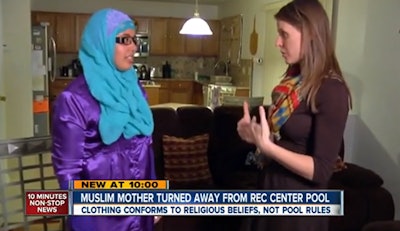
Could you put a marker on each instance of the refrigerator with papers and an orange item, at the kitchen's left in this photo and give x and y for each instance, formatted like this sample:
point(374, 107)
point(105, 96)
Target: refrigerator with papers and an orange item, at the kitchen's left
point(44, 67)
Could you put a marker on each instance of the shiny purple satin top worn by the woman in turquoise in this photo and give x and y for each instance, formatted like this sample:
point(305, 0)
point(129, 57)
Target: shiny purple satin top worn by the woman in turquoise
point(79, 153)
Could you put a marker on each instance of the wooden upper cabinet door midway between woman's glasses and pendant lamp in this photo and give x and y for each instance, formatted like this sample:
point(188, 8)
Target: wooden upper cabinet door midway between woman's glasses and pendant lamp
point(158, 36)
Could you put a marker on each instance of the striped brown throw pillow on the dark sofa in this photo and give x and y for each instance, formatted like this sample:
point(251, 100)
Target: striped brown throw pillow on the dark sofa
point(186, 161)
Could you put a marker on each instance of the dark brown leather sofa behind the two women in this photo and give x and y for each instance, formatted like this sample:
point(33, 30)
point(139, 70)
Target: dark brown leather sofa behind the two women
point(365, 199)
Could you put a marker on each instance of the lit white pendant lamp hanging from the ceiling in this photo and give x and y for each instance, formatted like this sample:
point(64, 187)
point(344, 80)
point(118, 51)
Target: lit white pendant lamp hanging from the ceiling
point(196, 25)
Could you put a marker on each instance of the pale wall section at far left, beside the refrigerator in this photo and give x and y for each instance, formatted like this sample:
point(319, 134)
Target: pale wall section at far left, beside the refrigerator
point(17, 67)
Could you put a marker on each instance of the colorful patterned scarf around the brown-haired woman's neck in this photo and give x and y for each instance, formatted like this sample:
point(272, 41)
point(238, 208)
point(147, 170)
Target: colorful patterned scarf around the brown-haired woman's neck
point(285, 99)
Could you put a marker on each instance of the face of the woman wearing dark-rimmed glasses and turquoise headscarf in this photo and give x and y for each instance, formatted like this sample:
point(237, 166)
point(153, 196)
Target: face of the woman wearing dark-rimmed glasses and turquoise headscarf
point(125, 48)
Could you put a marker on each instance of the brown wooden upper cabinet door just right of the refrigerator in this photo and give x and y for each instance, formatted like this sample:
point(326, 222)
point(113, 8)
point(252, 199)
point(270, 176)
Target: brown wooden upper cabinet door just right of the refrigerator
point(65, 32)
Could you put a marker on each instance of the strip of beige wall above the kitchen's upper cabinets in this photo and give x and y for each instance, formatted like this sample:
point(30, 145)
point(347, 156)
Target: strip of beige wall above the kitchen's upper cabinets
point(139, 8)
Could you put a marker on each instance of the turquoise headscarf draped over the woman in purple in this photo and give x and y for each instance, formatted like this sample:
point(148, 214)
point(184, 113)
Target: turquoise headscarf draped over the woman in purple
point(124, 109)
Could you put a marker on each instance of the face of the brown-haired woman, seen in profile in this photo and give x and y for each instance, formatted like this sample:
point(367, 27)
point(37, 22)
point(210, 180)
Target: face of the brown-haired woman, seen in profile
point(289, 42)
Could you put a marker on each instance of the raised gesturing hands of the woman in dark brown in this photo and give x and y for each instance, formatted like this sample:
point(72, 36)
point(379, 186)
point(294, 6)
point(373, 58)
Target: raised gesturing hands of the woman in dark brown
point(252, 132)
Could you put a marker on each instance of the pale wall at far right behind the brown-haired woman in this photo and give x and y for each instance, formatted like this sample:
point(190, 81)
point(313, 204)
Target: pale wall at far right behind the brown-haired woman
point(368, 49)
